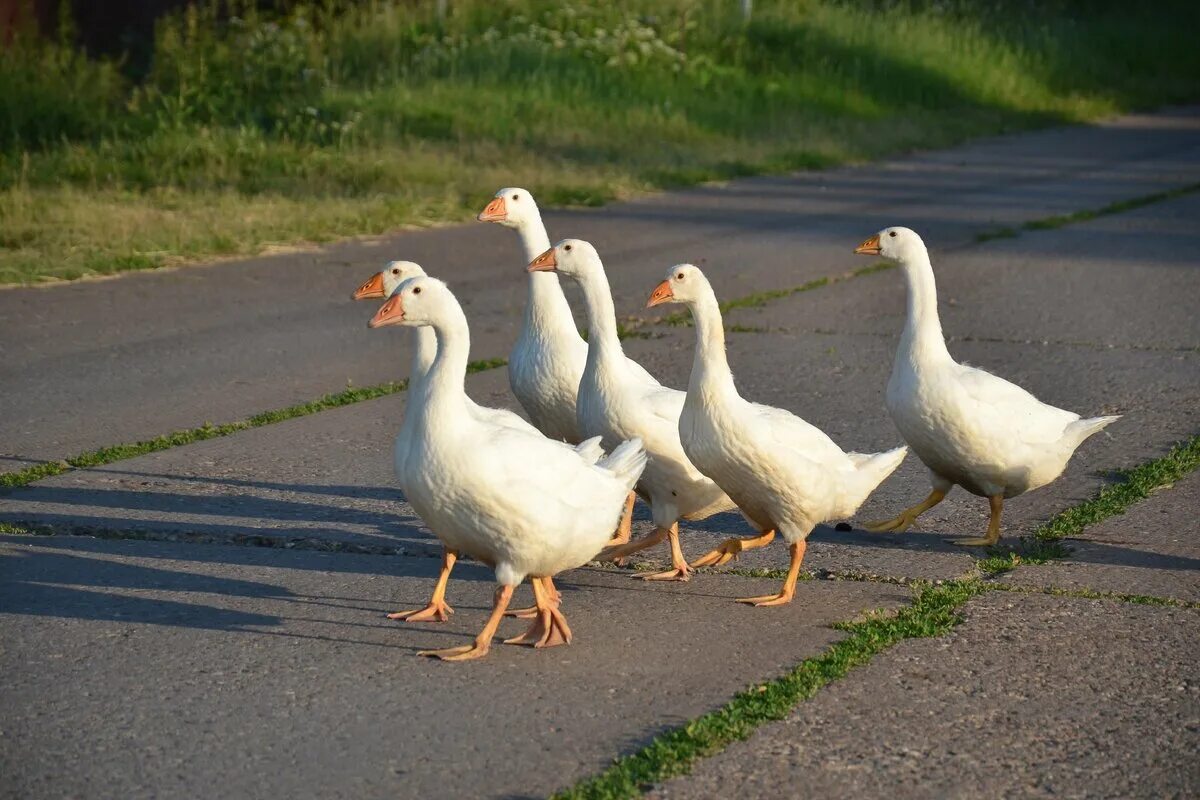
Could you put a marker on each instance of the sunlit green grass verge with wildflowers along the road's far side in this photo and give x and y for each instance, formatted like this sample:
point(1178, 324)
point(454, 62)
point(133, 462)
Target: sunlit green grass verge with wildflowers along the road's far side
point(347, 119)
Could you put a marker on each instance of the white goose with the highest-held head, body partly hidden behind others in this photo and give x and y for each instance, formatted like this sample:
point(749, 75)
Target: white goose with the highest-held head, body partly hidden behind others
point(548, 359)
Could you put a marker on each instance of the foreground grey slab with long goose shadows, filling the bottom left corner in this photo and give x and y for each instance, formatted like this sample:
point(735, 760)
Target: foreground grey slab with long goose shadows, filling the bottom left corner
point(137, 670)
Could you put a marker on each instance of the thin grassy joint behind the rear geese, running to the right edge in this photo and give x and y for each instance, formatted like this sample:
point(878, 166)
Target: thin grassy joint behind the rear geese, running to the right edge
point(760, 299)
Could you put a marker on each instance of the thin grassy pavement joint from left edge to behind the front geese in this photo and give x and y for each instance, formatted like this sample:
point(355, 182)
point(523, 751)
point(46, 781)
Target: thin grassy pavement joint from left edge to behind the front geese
point(111, 454)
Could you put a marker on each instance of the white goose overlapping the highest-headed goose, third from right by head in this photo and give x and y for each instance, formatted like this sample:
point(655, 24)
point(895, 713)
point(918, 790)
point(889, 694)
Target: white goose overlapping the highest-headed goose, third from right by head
point(619, 402)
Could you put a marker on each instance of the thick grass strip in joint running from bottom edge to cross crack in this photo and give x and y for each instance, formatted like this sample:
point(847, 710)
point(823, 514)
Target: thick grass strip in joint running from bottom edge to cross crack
point(933, 613)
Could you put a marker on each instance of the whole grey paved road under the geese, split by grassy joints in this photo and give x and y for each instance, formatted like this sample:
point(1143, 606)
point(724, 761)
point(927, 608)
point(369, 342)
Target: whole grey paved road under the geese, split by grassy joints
point(145, 667)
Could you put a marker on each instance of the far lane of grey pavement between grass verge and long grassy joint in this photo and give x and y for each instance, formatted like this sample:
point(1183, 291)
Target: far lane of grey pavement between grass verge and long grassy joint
point(100, 363)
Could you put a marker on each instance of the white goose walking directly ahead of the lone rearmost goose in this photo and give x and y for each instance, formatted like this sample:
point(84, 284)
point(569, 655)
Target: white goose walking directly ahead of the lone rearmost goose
point(784, 474)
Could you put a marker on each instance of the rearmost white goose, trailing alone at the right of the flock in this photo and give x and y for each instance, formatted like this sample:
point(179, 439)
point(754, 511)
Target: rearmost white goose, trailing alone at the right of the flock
point(970, 428)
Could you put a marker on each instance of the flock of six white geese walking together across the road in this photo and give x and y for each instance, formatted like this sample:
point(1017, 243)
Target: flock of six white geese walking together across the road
point(536, 498)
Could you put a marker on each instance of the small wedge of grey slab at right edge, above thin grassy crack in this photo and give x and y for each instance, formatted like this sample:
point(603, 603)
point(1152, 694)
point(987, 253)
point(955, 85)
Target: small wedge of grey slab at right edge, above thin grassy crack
point(1151, 550)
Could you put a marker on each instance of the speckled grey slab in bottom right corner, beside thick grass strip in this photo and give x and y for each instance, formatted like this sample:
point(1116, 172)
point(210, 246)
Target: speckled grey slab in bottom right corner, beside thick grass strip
point(1031, 697)
